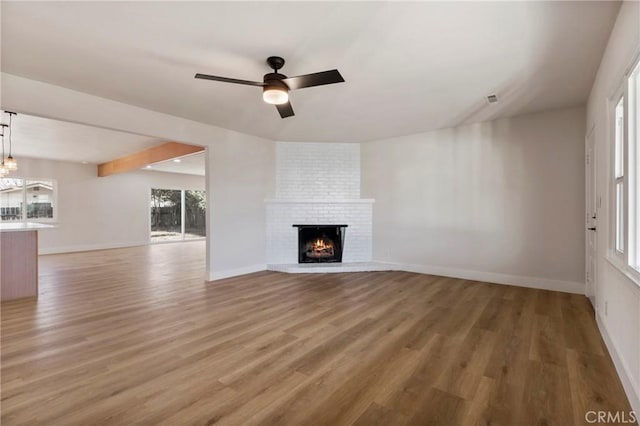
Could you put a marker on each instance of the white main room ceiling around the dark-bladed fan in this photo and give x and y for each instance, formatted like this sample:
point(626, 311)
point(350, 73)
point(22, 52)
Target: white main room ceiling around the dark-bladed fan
point(409, 66)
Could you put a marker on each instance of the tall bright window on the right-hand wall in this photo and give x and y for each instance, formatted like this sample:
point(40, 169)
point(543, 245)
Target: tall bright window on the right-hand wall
point(626, 172)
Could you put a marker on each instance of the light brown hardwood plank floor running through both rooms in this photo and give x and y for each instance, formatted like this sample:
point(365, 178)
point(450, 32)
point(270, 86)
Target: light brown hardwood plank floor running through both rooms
point(135, 336)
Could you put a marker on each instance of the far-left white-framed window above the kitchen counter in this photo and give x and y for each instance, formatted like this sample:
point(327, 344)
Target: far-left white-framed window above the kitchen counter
point(29, 200)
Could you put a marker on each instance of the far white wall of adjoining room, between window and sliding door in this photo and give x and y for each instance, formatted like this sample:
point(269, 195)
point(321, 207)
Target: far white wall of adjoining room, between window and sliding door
point(97, 213)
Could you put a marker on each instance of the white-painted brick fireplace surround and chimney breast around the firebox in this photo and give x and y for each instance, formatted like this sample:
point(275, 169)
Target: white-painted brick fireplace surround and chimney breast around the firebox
point(318, 184)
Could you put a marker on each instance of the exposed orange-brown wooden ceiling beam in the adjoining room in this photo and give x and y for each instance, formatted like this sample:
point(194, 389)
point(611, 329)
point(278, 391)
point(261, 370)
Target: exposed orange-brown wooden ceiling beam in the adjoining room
point(152, 155)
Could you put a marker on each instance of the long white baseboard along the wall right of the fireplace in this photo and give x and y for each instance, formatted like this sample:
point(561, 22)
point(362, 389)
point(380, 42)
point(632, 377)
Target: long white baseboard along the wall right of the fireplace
point(492, 277)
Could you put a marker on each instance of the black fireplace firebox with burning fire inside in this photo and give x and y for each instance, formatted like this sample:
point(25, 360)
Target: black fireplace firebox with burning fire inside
point(320, 243)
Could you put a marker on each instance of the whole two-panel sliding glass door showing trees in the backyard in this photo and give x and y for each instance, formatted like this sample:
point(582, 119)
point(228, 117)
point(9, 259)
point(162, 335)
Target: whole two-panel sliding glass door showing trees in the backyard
point(177, 215)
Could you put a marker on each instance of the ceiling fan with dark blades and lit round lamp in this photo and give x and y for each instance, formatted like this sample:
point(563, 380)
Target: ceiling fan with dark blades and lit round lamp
point(276, 86)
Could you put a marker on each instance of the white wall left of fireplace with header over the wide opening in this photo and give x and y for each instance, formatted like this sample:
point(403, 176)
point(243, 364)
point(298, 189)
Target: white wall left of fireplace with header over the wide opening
point(252, 174)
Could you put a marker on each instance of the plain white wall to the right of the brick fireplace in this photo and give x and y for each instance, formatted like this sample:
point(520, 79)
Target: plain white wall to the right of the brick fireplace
point(498, 201)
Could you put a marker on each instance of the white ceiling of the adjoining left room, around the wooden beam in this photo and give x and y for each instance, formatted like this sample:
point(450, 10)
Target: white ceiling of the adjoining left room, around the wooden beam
point(38, 137)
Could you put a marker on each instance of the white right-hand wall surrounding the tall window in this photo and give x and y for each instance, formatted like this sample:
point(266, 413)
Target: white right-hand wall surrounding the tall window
point(621, 324)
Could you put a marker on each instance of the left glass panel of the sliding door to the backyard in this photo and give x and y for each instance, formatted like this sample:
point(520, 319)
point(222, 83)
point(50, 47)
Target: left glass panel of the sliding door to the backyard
point(166, 215)
